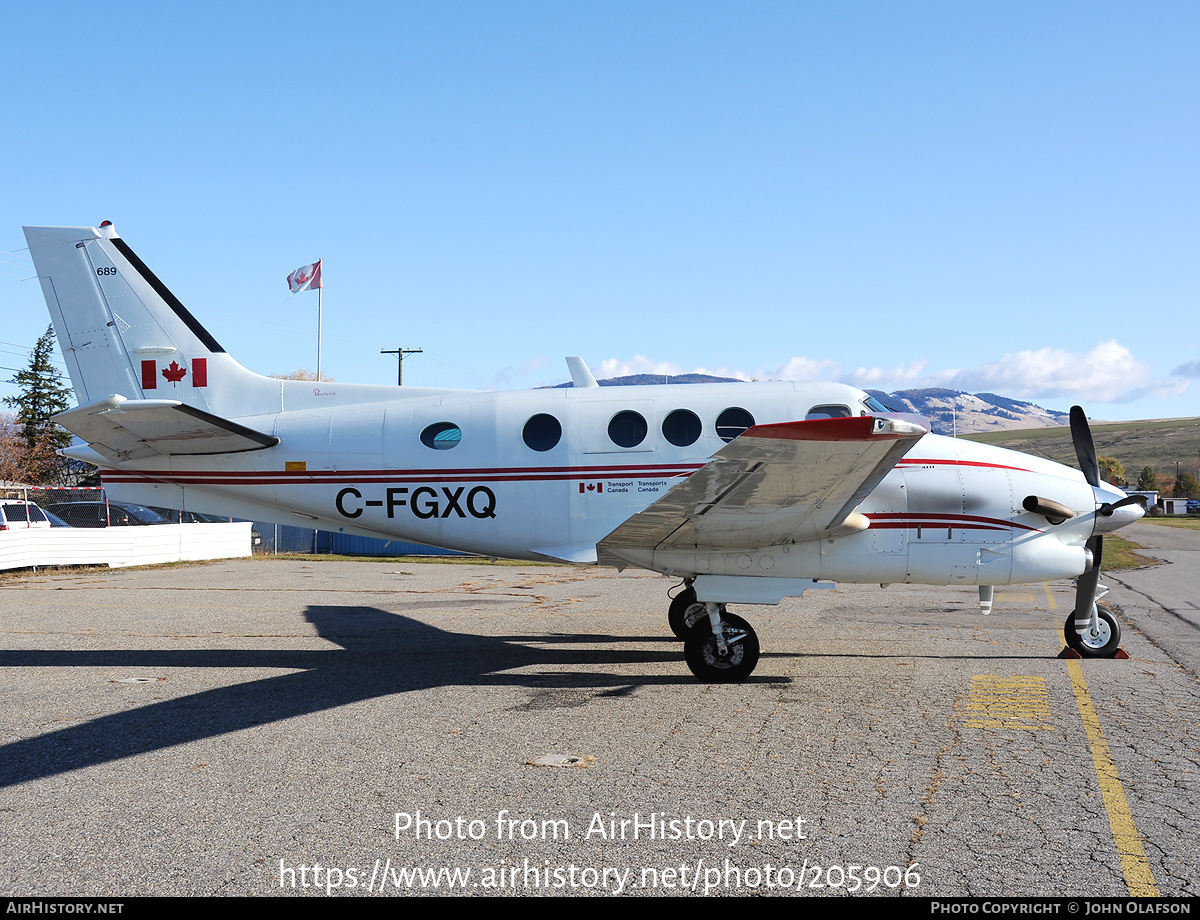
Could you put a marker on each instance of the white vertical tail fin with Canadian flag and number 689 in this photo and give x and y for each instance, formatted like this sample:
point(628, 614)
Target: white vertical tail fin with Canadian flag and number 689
point(123, 333)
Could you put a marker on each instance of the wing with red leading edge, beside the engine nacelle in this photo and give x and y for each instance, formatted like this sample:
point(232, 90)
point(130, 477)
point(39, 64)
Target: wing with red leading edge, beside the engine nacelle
point(776, 484)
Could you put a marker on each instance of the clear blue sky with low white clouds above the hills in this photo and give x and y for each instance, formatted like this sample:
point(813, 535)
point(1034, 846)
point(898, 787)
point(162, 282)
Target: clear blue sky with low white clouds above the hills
point(992, 197)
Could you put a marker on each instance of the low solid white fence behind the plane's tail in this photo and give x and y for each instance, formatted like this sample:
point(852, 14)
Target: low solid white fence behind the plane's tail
point(122, 546)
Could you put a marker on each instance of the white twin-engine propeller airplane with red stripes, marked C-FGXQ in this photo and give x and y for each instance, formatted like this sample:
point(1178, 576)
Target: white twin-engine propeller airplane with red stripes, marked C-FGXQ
point(749, 494)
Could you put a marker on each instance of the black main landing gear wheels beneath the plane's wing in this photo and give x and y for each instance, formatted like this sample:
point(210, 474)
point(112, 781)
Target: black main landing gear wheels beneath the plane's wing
point(719, 647)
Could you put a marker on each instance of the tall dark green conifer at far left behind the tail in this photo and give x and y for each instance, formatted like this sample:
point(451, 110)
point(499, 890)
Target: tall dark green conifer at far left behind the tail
point(44, 395)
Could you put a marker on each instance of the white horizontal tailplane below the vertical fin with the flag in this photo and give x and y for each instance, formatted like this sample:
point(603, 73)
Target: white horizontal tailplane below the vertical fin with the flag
point(122, 430)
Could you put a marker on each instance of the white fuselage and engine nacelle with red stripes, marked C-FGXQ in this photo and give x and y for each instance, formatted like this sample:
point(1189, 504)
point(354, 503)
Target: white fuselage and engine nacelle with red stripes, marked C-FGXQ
point(950, 513)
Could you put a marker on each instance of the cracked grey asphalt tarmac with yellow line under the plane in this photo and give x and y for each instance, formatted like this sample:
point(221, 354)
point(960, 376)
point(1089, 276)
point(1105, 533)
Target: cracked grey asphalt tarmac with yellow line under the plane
point(265, 727)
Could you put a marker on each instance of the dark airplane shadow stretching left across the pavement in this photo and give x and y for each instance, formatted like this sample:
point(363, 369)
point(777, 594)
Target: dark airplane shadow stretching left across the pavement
point(381, 654)
